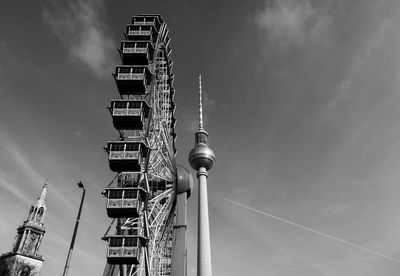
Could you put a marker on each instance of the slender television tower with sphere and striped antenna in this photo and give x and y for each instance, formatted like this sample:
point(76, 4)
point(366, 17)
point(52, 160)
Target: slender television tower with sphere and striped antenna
point(202, 158)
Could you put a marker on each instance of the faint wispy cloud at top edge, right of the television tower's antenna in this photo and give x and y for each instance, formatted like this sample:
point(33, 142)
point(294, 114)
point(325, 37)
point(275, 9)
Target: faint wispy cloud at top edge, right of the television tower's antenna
point(293, 23)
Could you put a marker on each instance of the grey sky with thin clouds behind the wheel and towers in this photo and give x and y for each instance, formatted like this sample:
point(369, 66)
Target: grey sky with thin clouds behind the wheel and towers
point(302, 107)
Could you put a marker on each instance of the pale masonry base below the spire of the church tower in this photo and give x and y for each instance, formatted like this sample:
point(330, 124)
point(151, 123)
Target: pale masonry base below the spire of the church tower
point(14, 264)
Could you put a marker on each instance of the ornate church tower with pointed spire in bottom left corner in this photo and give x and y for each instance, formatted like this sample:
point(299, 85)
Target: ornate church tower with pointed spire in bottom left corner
point(24, 258)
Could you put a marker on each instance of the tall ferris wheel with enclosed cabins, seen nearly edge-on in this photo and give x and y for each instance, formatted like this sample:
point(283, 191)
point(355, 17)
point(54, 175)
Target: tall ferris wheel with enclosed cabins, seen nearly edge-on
point(142, 199)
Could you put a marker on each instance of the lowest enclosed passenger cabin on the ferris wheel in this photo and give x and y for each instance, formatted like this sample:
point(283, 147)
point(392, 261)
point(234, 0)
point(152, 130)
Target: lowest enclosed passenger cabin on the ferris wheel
point(124, 249)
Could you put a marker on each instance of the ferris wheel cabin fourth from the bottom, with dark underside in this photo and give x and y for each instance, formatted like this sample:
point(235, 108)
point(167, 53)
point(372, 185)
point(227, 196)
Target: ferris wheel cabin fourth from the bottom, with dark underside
point(129, 114)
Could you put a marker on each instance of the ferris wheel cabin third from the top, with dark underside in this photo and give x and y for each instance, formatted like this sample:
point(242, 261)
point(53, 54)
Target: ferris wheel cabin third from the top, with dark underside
point(136, 52)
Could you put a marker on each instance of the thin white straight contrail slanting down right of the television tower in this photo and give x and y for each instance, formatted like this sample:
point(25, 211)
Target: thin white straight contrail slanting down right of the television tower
point(316, 232)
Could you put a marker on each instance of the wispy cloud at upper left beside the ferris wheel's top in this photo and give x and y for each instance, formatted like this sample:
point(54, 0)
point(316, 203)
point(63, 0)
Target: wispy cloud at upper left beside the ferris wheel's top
point(79, 26)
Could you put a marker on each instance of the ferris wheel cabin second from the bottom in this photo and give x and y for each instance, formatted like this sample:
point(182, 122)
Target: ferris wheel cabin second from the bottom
point(123, 202)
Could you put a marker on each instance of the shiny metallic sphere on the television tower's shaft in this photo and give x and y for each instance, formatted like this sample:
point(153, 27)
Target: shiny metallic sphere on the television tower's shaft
point(201, 156)
